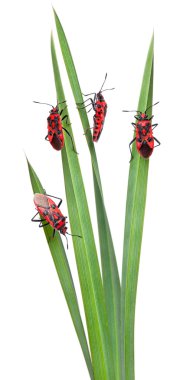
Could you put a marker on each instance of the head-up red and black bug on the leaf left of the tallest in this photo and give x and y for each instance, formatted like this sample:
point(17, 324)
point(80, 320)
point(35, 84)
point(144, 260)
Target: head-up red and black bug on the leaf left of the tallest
point(55, 127)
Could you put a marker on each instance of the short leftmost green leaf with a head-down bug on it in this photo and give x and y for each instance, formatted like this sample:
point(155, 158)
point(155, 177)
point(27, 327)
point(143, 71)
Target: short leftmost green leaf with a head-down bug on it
point(65, 277)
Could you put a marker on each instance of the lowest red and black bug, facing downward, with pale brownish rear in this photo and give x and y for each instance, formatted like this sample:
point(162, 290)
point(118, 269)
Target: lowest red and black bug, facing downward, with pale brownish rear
point(51, 214)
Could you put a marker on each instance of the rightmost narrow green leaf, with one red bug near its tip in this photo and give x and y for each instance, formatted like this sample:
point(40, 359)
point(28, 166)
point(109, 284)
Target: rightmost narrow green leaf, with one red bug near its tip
point(135, 208)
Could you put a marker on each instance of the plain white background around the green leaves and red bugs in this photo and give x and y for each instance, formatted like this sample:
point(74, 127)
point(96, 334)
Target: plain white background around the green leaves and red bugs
point(37, 339)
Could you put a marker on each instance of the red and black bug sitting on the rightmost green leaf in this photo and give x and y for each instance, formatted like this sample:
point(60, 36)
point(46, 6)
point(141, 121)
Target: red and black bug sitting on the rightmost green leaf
point(144, 134)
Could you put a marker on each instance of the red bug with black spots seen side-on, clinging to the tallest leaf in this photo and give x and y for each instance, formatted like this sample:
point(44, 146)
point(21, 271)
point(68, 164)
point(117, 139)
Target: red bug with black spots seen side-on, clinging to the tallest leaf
point(99, 105)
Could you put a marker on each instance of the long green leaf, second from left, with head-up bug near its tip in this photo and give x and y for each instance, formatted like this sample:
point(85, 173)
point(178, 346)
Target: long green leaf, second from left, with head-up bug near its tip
point(85, 252)
